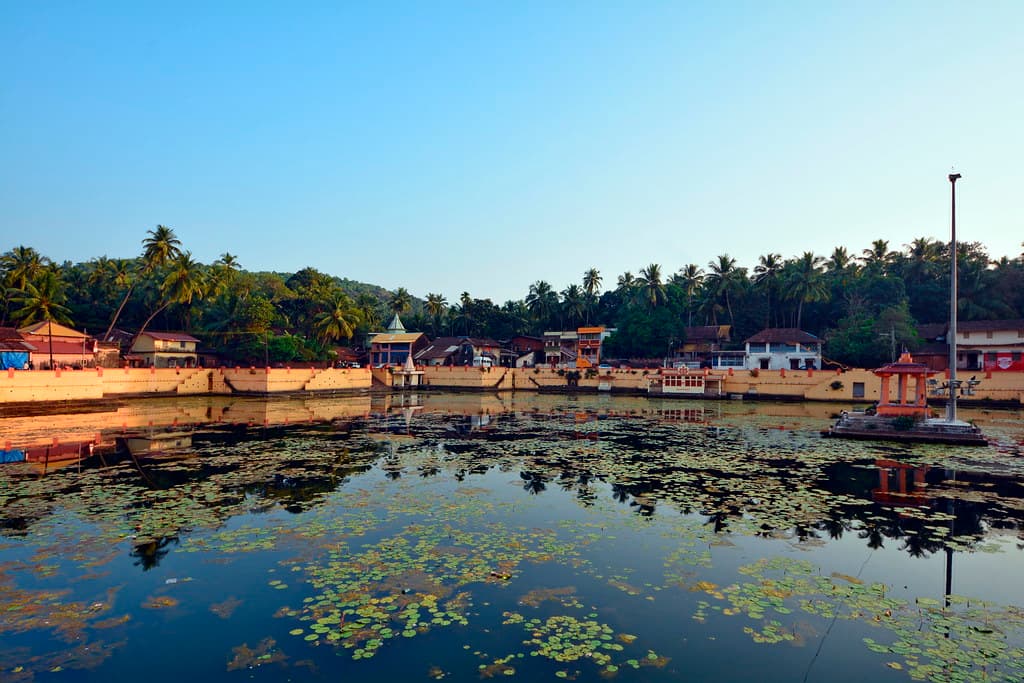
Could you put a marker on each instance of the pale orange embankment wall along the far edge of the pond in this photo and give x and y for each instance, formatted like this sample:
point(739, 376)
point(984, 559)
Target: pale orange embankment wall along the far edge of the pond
point(32, 387)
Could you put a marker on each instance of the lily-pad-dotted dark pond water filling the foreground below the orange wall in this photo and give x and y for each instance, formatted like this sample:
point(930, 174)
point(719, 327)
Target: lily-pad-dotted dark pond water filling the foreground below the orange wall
point(460, 537)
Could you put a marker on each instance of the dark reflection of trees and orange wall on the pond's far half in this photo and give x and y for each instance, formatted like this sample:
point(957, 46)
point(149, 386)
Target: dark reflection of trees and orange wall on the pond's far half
point(757, 469)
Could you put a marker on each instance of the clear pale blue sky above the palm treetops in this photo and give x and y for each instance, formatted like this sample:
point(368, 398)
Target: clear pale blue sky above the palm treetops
point(450, 147)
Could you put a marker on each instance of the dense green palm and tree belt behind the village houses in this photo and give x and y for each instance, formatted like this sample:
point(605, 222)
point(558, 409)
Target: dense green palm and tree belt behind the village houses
point(859, 304)
